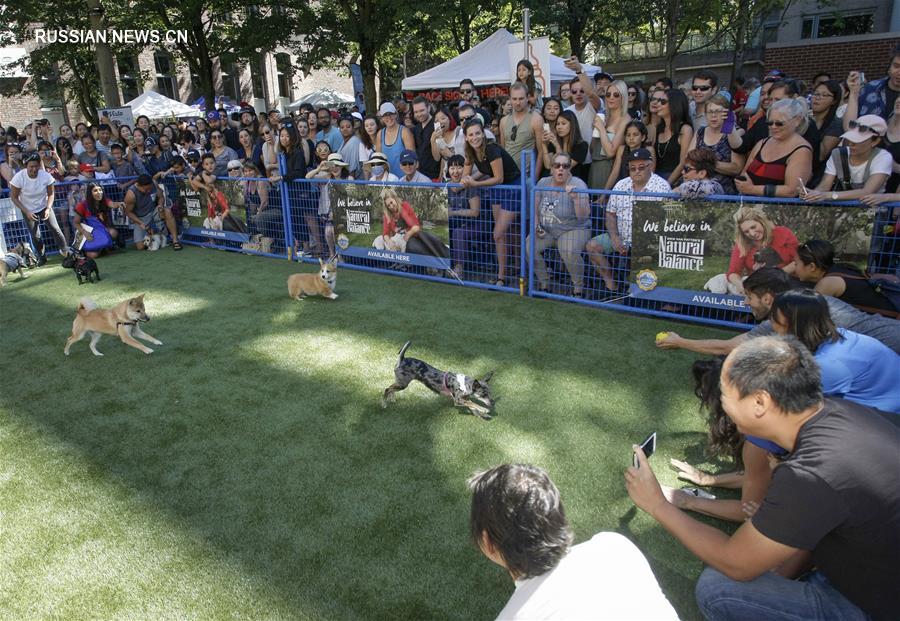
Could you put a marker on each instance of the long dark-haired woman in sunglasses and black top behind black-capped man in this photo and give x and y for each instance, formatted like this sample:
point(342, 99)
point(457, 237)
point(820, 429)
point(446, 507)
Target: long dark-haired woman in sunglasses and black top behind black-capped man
point(674, 133)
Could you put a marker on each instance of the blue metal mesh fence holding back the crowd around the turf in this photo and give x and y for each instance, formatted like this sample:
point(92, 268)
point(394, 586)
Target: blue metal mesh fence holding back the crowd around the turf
point(487, 229)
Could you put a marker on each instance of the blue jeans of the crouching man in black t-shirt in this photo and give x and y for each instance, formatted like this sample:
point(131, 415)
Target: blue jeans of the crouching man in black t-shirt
point(773, 598)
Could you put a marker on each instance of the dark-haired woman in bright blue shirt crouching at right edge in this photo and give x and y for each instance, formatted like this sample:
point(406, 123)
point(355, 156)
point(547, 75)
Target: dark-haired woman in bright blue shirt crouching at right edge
point(854, 366)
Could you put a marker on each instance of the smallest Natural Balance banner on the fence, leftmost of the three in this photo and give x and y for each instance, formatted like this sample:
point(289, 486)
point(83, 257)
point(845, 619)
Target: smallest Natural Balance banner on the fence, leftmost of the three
point(220, 216)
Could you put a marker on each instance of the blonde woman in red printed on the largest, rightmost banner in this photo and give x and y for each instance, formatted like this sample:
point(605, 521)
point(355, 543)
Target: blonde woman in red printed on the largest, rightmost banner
point(757, 243)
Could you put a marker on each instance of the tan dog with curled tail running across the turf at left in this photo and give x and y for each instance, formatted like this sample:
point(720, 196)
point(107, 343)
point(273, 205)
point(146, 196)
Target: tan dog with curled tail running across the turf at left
point(122, 320)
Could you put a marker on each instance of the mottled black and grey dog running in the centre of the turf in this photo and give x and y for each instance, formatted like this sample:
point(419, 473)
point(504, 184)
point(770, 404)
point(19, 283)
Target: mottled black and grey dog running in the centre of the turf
point(461, 388)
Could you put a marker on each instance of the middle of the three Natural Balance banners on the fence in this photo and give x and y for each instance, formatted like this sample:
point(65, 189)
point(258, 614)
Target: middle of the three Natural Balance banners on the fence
point(374, 222)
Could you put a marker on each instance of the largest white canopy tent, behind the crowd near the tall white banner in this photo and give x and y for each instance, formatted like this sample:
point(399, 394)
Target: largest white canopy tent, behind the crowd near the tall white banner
point(486, 63)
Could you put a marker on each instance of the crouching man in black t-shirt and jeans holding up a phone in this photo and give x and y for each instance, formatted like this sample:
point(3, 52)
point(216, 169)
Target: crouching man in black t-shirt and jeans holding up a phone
point(831, 504)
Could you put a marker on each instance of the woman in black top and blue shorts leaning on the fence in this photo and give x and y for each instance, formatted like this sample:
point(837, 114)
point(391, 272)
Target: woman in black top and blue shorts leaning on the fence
point(497, 167)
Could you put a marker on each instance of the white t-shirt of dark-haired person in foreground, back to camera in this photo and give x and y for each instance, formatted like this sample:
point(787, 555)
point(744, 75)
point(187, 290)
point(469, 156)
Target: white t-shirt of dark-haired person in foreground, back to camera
point(604, 578)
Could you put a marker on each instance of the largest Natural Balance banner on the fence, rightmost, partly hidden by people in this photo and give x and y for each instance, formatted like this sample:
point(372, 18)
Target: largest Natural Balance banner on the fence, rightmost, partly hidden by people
point(684, 251)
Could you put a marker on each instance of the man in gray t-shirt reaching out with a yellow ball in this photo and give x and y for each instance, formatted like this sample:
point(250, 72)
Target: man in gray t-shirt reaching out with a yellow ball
point(764, 285)
